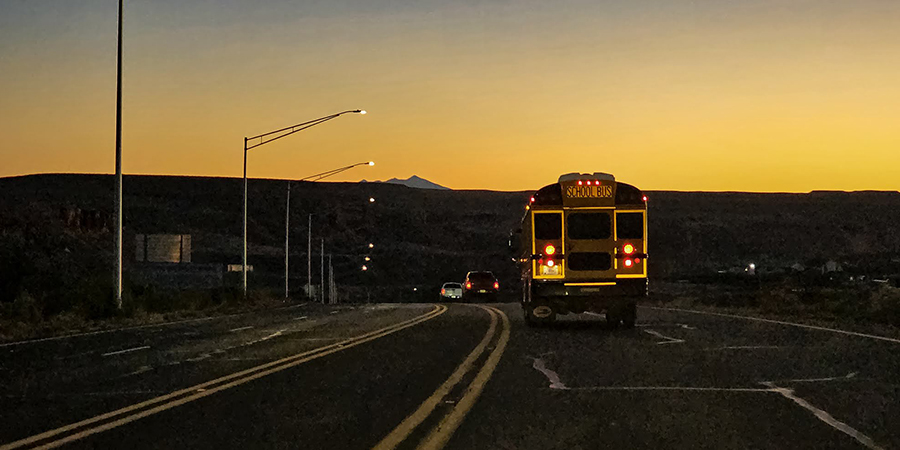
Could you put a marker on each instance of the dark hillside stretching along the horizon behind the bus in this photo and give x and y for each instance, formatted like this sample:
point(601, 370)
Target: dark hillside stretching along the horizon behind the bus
point(422, 237)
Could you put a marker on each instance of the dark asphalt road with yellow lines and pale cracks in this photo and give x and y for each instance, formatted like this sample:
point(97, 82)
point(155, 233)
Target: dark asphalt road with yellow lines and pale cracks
point(453, 376)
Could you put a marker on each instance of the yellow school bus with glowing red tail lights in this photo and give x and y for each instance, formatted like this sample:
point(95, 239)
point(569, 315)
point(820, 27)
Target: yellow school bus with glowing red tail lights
point(582, 246)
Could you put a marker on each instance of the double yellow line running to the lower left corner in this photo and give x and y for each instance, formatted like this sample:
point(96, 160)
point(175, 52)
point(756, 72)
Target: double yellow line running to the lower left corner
point(79, 430)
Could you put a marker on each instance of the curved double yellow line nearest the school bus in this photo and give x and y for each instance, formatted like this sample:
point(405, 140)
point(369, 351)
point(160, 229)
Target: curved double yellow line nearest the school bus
point(443, 431)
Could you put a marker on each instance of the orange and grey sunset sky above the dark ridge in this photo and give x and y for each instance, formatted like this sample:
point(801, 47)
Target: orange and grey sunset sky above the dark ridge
point(748, 95)
